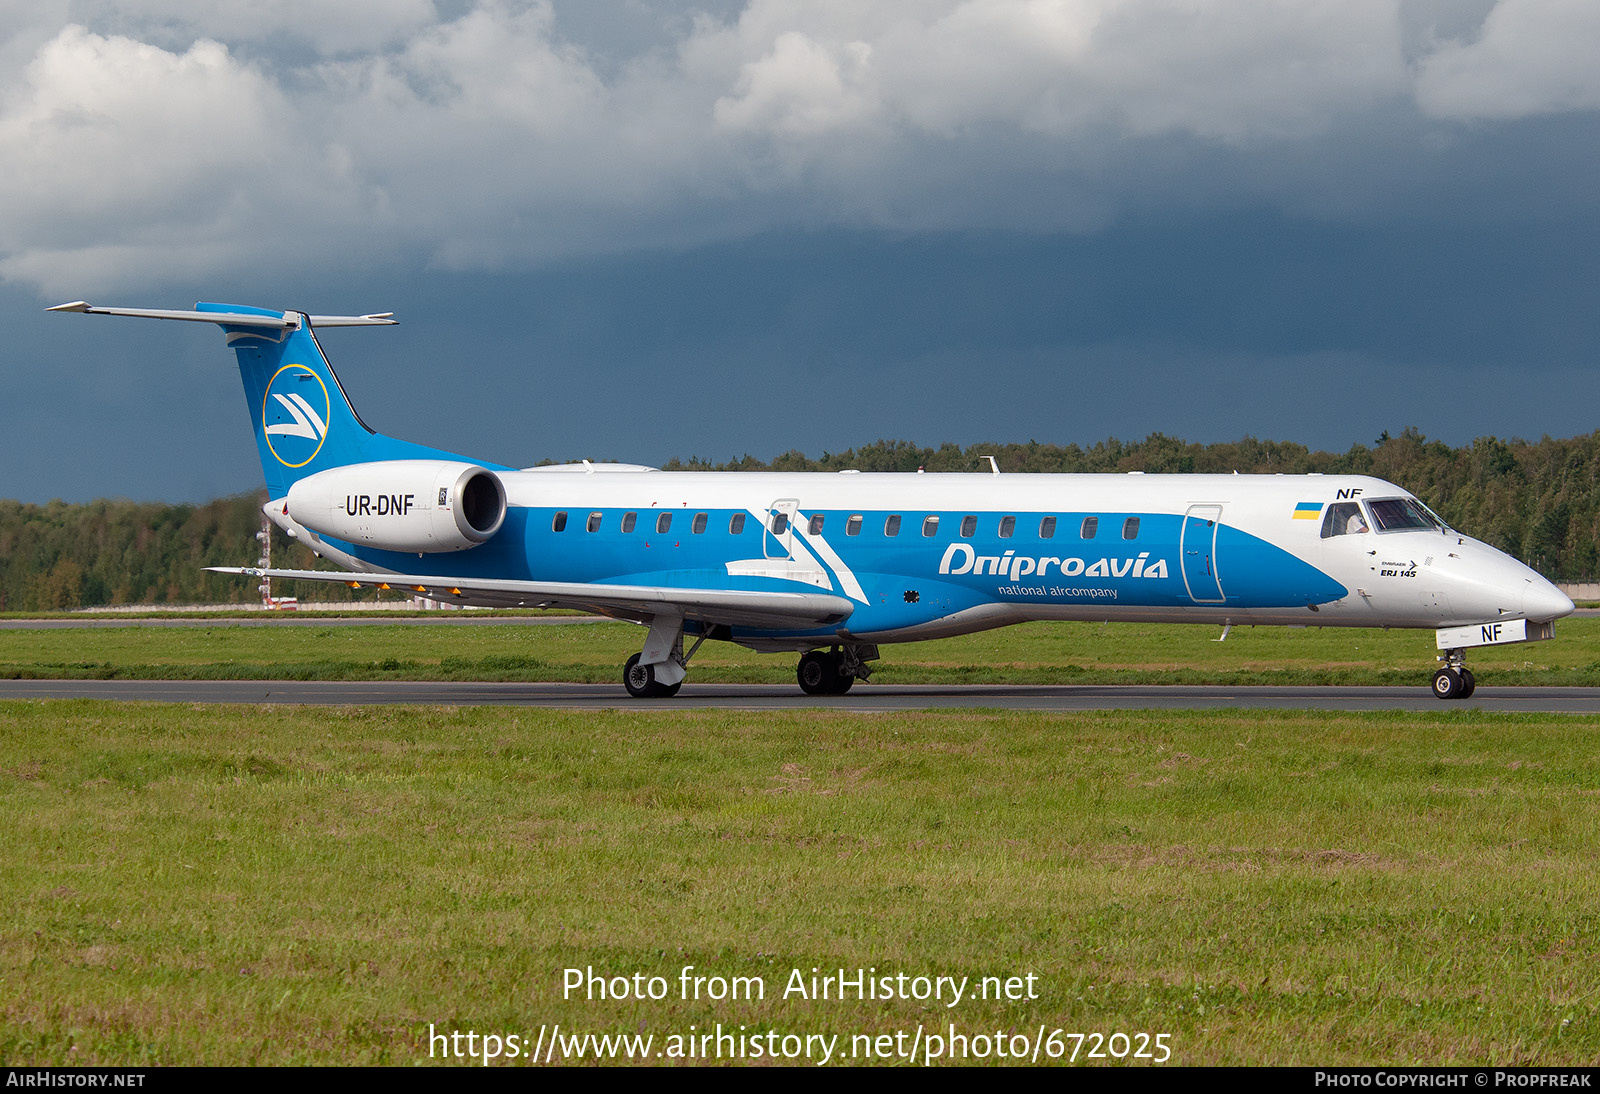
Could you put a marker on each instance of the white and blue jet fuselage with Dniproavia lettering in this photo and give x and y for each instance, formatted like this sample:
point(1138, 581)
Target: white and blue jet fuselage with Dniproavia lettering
point(935, 556)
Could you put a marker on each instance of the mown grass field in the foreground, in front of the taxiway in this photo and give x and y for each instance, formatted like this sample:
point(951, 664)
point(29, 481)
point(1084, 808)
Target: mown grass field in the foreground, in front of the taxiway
point(252, 885)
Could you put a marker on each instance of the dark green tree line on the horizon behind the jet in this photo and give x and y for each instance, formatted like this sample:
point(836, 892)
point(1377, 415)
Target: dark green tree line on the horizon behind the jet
point(1538, 501)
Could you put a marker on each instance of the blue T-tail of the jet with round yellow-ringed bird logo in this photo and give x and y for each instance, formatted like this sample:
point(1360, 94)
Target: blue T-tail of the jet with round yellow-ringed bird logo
point(298, 410)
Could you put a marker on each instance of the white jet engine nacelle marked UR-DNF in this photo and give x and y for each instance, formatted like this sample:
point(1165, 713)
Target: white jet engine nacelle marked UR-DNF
point(402, 505)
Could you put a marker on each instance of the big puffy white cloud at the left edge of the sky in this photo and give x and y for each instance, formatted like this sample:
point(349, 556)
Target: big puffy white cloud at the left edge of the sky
point(126, 159)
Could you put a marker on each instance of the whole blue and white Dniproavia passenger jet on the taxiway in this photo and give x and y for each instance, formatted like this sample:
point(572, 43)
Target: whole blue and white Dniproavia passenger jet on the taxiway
point(834, 565)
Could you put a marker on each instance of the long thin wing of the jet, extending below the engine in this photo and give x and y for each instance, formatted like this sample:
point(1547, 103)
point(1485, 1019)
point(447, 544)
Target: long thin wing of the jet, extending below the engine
point(639, 604)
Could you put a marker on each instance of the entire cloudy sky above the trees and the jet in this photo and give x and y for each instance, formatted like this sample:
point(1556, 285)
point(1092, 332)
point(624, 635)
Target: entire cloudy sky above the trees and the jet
point(638, 230)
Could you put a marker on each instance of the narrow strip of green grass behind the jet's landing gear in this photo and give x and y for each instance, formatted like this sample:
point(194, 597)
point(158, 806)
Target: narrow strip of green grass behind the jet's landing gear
point(594, 653)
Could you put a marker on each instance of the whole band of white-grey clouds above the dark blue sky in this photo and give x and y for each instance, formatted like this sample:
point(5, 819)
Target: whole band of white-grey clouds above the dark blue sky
point(166, 140)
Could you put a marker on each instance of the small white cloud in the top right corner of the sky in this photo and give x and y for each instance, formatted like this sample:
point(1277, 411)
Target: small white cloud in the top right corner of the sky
point(1534, 57)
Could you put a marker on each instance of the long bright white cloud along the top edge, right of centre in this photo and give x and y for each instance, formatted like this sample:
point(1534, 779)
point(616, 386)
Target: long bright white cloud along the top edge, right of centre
point(1230, 71)
